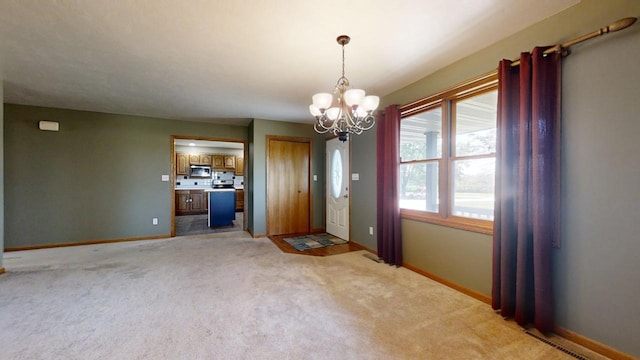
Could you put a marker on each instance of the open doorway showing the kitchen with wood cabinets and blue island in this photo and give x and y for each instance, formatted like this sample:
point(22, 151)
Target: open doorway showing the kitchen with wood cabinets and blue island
point(208, 185)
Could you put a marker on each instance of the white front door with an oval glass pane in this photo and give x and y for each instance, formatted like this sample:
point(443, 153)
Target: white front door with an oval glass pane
point(337, 187)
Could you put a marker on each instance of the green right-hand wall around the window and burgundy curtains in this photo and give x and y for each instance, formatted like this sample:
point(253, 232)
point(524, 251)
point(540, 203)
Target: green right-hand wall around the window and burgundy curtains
point(596, 268)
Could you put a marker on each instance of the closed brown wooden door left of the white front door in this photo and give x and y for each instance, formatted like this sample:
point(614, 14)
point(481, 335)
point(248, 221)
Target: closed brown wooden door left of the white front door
point(288, 189)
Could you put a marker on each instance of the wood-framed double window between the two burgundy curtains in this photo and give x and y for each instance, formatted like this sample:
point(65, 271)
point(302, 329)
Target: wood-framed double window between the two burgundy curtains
point(447, 151)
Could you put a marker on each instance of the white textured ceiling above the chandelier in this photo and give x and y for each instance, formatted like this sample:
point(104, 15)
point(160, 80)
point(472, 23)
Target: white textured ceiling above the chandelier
point(202, 60)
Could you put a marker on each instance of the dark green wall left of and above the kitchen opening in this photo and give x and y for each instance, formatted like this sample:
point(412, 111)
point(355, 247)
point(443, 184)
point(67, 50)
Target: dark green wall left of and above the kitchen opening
point(97, 178)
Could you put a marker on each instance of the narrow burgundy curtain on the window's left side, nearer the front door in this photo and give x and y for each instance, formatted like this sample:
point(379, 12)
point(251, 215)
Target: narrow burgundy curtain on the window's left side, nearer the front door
point(389, 238)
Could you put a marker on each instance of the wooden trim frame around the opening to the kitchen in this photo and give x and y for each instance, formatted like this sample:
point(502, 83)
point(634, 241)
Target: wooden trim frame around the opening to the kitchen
point(172, 175)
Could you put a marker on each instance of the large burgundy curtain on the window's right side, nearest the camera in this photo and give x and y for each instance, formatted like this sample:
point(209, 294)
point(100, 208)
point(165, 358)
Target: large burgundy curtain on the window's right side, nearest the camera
point(527, 210)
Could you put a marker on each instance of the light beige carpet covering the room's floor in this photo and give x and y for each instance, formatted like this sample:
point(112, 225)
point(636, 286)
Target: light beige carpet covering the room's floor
point(229, 296)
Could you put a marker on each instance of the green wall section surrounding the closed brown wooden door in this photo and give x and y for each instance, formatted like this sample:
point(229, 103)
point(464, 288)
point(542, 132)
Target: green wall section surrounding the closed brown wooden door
point(260, 129)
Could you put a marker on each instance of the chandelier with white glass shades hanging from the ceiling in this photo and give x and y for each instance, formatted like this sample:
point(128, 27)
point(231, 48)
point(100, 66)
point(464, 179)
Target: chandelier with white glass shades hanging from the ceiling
point(352, 113)
